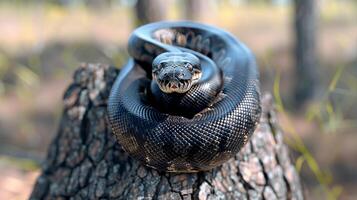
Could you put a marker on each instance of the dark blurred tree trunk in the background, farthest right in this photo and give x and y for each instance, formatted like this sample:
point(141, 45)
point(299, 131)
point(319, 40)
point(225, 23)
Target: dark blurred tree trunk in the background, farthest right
point(305, 51)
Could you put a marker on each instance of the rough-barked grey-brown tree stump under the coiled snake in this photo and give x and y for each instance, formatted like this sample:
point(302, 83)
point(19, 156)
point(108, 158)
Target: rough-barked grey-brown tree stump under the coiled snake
point(85, 161)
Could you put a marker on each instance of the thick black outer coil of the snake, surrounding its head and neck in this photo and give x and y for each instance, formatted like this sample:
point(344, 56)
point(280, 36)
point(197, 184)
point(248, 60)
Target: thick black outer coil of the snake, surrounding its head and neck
point(176, 143)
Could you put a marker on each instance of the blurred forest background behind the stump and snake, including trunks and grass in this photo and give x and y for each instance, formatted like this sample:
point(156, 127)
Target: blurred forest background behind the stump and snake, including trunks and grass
point(306, 50)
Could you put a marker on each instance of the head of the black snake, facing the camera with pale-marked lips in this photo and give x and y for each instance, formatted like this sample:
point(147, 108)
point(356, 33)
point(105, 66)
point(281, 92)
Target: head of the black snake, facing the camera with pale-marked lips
point(176, 71)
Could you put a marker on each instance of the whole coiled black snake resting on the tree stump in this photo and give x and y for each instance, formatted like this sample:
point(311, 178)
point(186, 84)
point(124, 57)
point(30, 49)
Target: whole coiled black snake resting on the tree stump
point(188, 99)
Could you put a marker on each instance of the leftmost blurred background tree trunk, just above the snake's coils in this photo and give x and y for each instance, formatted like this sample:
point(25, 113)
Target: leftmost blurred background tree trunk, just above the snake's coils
point(149, 11)
